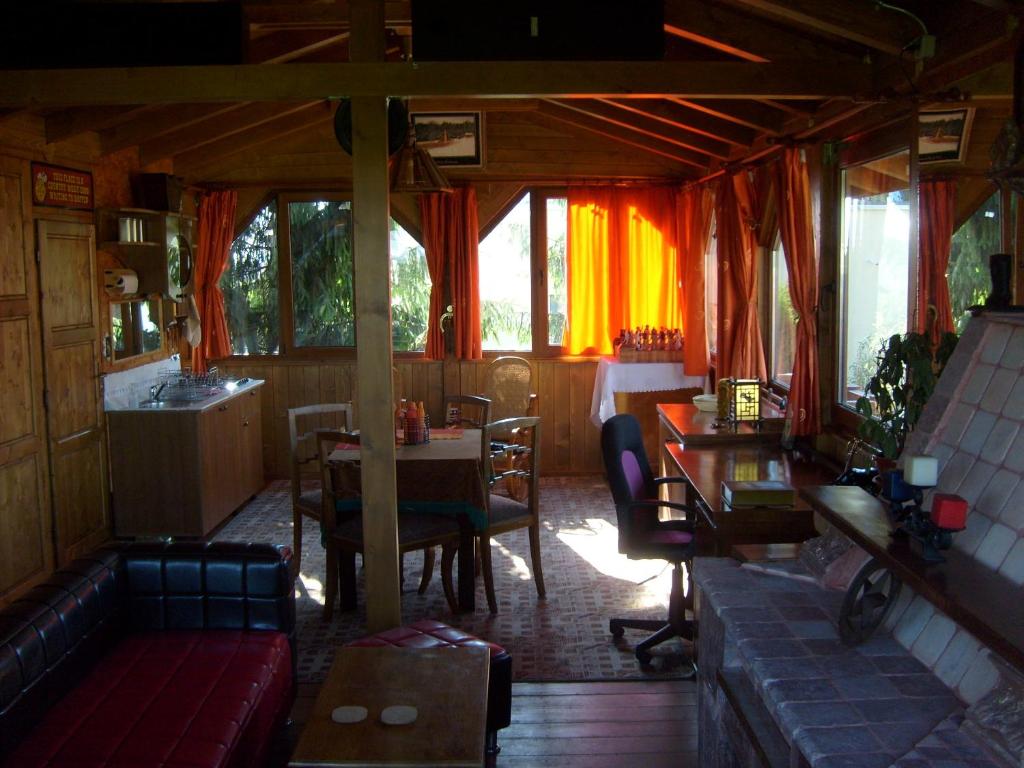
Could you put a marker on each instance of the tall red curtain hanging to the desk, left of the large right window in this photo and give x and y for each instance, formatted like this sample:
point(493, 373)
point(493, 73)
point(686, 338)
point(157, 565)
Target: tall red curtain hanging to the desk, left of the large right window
point(796, 226)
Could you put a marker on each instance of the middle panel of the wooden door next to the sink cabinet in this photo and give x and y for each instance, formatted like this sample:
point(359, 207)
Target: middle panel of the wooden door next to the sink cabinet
point(70, 374)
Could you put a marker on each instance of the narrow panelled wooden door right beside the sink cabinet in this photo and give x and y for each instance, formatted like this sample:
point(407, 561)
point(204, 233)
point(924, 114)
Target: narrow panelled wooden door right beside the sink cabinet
point(74, 403)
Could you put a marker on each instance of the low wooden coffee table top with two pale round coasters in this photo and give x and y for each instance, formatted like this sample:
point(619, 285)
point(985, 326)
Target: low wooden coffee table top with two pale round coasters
point(449, 687)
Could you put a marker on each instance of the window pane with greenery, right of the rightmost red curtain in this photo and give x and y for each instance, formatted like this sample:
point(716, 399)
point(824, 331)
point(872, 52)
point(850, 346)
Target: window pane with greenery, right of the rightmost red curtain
point(968, 273)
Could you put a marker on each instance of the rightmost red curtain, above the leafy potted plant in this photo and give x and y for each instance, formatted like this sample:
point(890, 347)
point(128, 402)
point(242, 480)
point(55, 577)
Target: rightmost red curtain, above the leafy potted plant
point(938, 207)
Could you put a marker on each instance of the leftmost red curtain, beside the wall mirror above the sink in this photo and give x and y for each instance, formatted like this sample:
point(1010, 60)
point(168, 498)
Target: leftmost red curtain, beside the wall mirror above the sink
point(217, 232)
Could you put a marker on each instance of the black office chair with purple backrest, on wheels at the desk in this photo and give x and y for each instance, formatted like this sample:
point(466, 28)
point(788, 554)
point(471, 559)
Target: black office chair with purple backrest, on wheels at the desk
point(642, 535)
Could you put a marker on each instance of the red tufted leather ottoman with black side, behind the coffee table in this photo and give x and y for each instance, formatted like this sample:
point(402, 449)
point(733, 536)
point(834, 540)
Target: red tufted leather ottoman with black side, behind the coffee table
point(430, 634)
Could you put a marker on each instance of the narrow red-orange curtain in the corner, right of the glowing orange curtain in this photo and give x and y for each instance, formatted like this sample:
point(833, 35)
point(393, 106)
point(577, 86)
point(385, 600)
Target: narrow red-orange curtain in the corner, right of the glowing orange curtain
point(695, 209)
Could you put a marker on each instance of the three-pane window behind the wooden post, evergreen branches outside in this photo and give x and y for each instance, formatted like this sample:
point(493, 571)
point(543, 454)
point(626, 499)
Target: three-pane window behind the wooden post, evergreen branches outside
point(319, 253)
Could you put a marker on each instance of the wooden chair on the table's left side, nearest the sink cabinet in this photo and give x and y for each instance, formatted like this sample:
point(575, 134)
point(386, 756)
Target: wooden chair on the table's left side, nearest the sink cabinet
point(303, 423)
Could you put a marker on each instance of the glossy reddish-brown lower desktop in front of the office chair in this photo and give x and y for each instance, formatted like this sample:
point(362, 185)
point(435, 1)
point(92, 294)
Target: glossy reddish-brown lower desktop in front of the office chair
point(707, 467)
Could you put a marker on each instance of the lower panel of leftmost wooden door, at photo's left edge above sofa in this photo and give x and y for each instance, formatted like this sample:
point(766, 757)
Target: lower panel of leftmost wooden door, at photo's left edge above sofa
point(25, 549)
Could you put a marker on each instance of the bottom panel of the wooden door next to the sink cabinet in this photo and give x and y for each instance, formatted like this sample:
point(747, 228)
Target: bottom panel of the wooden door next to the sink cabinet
point(80, 500)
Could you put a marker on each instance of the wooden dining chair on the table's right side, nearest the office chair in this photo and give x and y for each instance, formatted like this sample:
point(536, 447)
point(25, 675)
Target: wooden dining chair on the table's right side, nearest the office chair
point(506, 515)
